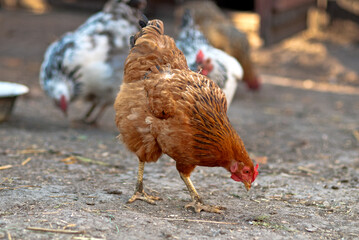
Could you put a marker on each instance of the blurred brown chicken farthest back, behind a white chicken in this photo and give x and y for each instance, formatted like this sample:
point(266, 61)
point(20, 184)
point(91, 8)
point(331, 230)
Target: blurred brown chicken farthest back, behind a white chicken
point(222, 34)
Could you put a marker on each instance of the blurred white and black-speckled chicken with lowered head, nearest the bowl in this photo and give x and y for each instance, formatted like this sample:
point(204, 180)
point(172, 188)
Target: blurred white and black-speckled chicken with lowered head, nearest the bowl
point(88, 63)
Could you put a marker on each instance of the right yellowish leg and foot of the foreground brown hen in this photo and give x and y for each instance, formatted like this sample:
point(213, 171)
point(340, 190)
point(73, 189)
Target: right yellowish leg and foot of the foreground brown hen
point(197, 203)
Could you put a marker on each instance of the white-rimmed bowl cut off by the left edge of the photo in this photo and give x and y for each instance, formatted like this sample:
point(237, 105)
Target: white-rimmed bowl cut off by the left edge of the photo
point(8, 94)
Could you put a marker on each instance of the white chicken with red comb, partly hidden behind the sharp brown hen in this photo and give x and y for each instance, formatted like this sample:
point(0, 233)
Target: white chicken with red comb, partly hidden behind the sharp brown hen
point(222, 68)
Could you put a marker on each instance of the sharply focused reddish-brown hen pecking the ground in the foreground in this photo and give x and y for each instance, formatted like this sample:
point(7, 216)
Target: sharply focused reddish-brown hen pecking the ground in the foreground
point(163, 107)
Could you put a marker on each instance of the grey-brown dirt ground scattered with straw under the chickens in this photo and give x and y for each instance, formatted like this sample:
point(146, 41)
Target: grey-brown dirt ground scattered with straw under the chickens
point(78, 178)
